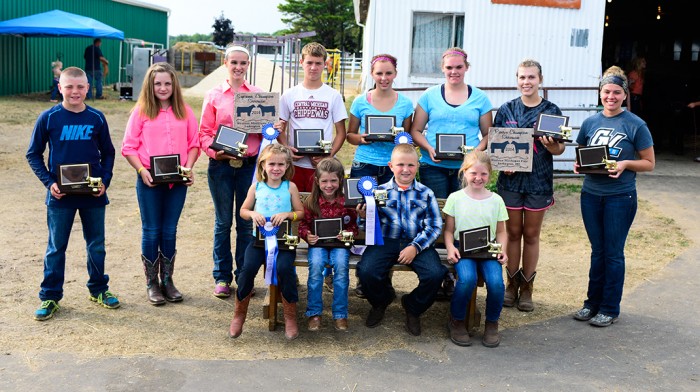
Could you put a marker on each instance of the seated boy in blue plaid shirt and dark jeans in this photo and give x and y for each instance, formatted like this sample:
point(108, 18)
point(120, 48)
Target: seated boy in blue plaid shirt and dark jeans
point(411, 222)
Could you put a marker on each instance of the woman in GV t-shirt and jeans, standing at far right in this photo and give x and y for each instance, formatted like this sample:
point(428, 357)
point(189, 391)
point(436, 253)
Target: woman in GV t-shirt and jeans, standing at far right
point(609, 201)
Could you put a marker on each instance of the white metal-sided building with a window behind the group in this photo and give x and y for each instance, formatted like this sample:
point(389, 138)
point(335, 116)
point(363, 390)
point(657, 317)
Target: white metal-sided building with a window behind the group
point(568, 42)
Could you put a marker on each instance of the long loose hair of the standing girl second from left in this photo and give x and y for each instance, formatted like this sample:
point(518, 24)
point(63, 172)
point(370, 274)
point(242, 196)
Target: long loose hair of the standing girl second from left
point(148, 104)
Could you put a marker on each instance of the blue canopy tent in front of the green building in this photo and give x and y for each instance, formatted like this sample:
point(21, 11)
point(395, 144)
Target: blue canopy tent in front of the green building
point(57, 23)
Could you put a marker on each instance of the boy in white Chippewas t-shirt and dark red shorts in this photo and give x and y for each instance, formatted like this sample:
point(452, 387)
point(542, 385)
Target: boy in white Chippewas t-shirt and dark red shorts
point(312, 105)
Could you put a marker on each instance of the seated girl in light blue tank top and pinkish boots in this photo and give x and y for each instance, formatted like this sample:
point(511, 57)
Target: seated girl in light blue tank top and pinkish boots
point(273, 197)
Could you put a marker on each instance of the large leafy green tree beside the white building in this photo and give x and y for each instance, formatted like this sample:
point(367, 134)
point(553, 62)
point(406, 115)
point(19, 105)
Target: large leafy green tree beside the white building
point(332, 20)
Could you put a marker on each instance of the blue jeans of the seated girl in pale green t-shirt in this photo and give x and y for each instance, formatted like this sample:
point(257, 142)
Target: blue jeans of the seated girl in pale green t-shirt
point(492, 272)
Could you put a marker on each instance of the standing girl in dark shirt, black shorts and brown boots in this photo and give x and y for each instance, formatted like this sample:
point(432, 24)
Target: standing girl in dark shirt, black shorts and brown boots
point(528, 195)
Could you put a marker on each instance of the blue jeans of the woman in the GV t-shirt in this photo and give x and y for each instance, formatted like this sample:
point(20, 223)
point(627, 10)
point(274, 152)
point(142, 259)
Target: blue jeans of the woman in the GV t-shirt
point(607, 220)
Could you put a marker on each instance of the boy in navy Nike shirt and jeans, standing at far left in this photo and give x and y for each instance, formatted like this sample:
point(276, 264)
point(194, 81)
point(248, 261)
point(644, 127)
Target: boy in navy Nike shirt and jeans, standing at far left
point(75, 133)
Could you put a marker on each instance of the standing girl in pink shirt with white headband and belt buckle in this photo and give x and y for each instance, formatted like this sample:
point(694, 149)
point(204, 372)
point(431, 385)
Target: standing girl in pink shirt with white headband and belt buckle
point(229, 177)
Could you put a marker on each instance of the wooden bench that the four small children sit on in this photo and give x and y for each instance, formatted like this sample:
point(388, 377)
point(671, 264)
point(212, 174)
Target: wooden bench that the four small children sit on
point(273, 297)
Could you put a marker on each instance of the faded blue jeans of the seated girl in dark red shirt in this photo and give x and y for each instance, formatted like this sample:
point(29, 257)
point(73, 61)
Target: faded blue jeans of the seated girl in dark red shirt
point(338, 259)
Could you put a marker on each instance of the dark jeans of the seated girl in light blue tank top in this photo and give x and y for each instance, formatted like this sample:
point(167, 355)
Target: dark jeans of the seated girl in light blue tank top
point(286, 276)
